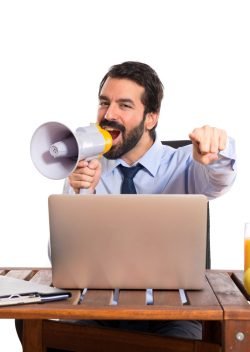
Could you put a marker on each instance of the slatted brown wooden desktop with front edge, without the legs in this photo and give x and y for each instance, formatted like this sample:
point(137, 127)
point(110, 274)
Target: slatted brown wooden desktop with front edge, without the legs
point(221, 299)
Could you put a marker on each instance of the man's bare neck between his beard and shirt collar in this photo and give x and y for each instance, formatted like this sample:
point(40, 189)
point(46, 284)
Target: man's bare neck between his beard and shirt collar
point(139, 150)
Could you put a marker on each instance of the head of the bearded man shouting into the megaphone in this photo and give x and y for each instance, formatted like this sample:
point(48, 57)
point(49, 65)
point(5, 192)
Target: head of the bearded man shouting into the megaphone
point(130, 96)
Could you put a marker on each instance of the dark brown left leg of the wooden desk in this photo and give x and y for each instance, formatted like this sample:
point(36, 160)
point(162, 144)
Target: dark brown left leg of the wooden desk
point(32, 335)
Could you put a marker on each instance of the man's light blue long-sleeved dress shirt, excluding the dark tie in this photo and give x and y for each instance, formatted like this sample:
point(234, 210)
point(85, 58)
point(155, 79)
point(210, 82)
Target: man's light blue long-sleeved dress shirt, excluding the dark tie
point(171, 171)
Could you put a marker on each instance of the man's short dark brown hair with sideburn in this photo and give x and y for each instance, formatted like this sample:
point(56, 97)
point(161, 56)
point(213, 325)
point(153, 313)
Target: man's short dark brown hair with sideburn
point(146, 77)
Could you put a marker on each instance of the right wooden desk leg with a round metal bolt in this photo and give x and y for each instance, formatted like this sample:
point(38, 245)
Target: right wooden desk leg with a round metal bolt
point(236, 335)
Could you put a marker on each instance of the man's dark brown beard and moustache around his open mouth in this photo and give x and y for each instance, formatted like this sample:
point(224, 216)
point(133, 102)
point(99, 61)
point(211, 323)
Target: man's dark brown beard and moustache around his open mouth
point(130, 139)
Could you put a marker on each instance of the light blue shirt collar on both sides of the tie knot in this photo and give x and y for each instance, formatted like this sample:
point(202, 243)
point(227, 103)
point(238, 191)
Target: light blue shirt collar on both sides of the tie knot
point(150, 160)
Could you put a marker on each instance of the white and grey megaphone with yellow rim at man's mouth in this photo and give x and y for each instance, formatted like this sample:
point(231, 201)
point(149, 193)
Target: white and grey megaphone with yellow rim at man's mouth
point(55, 150)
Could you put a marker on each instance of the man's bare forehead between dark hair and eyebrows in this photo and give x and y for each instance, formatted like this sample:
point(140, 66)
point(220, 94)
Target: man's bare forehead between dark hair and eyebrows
point(120, 88)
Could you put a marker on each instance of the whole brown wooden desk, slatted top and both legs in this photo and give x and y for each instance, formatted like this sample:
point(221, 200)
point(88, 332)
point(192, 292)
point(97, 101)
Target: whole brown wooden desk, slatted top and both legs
point(221, 304)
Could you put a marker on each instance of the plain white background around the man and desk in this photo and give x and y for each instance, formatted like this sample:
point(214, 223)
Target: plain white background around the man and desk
point(53, 56)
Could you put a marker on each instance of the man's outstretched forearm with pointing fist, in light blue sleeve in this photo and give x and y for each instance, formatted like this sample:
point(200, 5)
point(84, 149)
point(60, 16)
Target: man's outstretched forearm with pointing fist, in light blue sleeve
point(213, 171)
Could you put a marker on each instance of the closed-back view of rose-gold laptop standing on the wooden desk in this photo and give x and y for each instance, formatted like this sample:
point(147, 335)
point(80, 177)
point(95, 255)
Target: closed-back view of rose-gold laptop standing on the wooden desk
point(128, 241)
